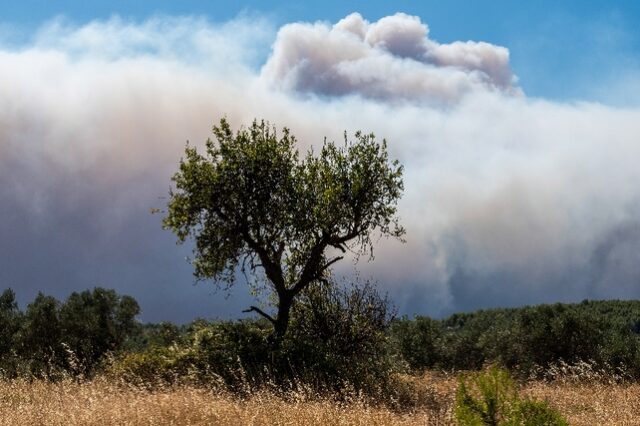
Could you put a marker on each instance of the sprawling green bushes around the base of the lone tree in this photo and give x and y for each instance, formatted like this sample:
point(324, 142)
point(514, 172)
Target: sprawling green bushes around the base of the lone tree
point(336, 340)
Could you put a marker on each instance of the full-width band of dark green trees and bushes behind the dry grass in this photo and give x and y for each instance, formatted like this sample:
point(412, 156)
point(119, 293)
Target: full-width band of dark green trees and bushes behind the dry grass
point(336, 333)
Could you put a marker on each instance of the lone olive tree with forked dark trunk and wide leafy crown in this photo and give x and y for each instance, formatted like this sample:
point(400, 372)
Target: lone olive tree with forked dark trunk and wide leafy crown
point(252, 204)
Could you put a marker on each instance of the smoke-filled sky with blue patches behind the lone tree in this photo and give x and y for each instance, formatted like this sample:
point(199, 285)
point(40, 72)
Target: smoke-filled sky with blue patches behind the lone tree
point(516, 124)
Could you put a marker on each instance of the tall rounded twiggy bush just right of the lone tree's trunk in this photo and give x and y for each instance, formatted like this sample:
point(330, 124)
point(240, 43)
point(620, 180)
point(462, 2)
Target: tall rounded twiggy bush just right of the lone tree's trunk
point(338, 335)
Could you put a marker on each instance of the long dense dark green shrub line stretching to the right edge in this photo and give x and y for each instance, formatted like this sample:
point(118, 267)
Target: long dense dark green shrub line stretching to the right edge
point(526, 340)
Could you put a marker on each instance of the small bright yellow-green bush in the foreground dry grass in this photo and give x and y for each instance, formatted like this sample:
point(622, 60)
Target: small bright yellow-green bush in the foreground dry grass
point(491, 398)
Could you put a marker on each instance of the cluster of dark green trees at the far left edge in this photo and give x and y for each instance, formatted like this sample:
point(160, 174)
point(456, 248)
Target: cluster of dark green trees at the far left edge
point(51, 339)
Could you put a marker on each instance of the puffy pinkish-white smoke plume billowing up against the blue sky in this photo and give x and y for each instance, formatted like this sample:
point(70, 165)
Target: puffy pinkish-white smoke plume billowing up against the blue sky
point(391, 59)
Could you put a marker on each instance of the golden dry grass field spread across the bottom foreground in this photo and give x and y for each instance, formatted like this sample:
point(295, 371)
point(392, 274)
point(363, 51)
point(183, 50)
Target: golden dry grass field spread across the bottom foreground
point(101, 402)
